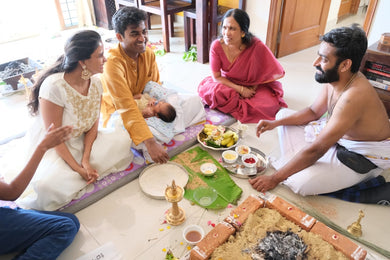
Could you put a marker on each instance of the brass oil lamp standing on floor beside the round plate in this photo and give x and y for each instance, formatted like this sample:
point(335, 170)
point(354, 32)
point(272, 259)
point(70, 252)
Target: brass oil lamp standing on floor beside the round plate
point(173, 194)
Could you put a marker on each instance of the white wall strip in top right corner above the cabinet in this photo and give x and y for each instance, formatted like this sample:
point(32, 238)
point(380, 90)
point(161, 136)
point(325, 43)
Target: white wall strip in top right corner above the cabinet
point(381, 22)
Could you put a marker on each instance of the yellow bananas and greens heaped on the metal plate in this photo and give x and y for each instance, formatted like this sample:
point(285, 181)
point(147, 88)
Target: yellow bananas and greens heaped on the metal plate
point(218, 136)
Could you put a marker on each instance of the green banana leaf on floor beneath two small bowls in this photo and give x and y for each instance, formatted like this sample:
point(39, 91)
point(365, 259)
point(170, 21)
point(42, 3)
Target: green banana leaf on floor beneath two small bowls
point(227, 189)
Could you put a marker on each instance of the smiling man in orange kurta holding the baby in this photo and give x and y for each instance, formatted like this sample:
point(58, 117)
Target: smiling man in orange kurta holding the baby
point(129, 67)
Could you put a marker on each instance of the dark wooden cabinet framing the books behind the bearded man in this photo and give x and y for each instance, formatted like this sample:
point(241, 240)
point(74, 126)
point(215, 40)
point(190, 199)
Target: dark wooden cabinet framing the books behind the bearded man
point(375, 55)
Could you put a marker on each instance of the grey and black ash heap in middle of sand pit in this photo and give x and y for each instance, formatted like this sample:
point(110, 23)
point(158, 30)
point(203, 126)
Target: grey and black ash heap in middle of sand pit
point(280, 245)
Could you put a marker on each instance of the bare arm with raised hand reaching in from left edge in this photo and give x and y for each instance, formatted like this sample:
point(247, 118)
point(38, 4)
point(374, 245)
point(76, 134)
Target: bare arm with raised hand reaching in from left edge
point(16, 187)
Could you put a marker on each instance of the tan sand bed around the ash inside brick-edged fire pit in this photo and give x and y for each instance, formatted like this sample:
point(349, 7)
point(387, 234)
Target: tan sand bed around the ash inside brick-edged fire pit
point(264, 222)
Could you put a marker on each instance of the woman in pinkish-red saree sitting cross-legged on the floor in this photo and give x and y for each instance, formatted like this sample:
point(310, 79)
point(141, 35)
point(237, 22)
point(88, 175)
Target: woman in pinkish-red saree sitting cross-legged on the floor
point(244, 73)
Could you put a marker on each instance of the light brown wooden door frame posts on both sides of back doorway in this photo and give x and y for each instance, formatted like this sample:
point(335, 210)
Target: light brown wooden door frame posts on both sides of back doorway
point(275, 18)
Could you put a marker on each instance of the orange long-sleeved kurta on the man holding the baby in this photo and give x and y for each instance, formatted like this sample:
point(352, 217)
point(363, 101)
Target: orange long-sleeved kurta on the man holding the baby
point(122, 79)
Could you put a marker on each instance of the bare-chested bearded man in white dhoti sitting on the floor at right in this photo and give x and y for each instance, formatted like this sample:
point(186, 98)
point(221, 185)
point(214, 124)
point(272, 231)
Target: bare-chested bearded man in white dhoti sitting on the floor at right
point(343, 138)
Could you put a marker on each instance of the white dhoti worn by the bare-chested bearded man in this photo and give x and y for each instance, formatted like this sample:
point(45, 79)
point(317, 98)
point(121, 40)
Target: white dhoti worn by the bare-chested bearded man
point(328, 174)
